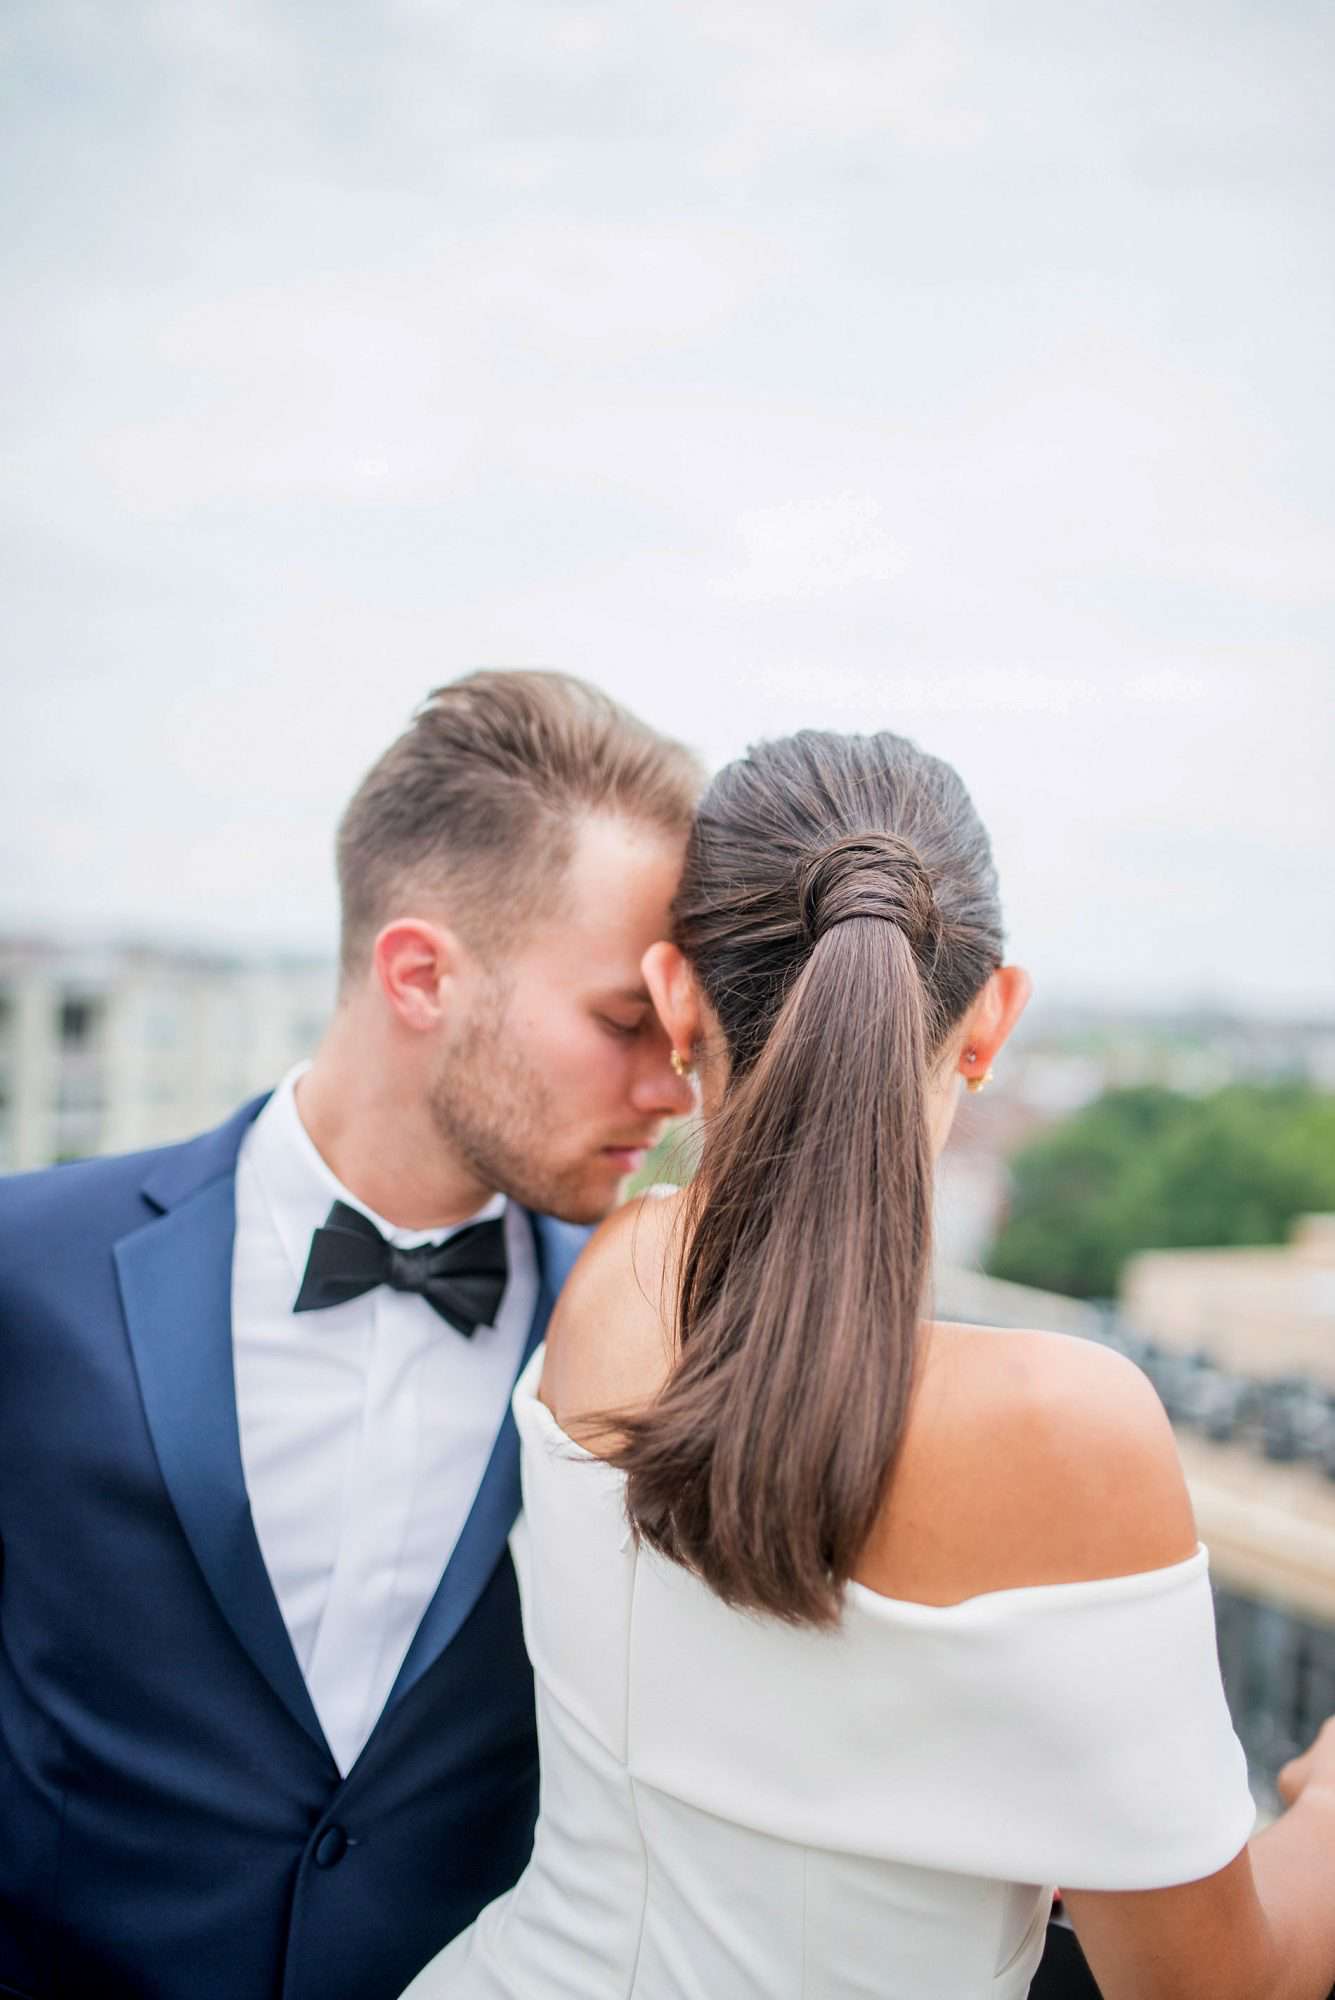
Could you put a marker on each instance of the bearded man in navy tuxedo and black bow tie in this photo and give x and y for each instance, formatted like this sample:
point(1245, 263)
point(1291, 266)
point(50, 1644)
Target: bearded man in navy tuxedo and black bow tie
point(267, 1723)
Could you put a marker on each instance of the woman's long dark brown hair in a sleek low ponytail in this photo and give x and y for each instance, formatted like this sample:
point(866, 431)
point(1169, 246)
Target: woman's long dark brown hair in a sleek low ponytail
point(840, 913)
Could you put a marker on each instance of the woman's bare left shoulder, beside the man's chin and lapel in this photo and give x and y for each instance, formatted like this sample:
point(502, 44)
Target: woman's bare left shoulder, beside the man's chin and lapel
point(611, 1335)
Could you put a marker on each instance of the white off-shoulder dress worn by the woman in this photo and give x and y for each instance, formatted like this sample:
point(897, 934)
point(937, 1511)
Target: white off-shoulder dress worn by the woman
point(734, 1809)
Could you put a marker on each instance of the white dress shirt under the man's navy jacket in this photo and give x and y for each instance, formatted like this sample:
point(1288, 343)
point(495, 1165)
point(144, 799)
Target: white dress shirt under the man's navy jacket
point(365, 1427)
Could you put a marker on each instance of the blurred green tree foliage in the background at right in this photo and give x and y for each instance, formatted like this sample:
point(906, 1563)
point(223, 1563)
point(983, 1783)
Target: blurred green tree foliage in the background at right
point(1152, 1169)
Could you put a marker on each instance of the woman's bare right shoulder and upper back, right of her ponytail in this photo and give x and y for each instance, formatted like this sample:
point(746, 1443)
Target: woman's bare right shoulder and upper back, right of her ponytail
point(1030, 1459)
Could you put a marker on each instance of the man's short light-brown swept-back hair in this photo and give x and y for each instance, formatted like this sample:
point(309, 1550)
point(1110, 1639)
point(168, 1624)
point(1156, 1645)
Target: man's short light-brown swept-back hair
point(479, 801)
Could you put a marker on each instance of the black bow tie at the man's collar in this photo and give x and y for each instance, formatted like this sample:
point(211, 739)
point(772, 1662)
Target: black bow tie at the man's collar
point(463, 1279)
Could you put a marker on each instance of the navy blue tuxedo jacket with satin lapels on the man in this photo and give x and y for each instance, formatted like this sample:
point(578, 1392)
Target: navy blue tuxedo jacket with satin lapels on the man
point(173, 1825)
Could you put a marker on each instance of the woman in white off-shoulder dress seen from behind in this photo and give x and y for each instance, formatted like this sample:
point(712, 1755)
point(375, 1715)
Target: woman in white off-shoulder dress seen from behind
point(856, 1631)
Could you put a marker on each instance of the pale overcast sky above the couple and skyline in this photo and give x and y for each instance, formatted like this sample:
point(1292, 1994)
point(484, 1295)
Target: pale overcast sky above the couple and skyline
point(958, 371)
